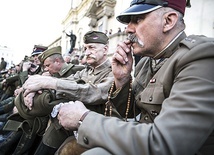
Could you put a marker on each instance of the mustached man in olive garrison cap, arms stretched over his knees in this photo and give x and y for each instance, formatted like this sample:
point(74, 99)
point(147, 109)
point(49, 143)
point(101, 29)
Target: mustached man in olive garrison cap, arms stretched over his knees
point(90, 85)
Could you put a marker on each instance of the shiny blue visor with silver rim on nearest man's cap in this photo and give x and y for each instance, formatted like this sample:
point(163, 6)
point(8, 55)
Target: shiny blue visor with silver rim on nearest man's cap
point(125, 17)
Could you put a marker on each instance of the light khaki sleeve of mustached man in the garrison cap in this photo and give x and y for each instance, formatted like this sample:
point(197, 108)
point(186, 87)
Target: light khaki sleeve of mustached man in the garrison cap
point(88, 93)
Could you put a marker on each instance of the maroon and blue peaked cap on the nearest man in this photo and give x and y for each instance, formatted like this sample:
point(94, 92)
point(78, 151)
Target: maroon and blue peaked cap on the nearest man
point(145, 6)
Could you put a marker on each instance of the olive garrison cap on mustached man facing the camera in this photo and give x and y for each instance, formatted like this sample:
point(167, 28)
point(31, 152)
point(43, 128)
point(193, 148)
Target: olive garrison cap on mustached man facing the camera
point(95, 37)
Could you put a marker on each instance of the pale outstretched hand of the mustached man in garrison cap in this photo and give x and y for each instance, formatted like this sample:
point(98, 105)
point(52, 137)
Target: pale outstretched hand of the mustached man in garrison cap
point(38, 82)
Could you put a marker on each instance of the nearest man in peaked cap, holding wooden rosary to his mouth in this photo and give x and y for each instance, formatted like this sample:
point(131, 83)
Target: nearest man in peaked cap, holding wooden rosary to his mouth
point(172, 91)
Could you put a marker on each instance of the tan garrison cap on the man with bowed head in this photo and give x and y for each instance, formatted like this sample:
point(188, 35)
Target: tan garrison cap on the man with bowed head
point(49, 52)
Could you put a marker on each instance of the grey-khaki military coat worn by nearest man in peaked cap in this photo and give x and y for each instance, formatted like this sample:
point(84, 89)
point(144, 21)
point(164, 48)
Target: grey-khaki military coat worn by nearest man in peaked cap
point(175, 101)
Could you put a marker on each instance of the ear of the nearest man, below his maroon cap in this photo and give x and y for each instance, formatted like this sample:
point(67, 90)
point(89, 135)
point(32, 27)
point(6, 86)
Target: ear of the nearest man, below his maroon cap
point(170, 20)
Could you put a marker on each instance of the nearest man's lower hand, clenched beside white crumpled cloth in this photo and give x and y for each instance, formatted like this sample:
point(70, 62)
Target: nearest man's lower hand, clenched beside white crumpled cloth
point(70, 114)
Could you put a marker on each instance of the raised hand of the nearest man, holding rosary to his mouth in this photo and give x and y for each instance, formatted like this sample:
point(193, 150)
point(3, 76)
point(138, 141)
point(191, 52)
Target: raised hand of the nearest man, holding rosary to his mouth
point(122, 62)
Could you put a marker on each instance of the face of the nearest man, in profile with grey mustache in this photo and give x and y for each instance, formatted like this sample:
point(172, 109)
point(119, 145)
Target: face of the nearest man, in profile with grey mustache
point(147, 28)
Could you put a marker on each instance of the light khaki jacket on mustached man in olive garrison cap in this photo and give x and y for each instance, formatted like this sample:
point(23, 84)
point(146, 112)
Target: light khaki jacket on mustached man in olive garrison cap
point(89, 85)
